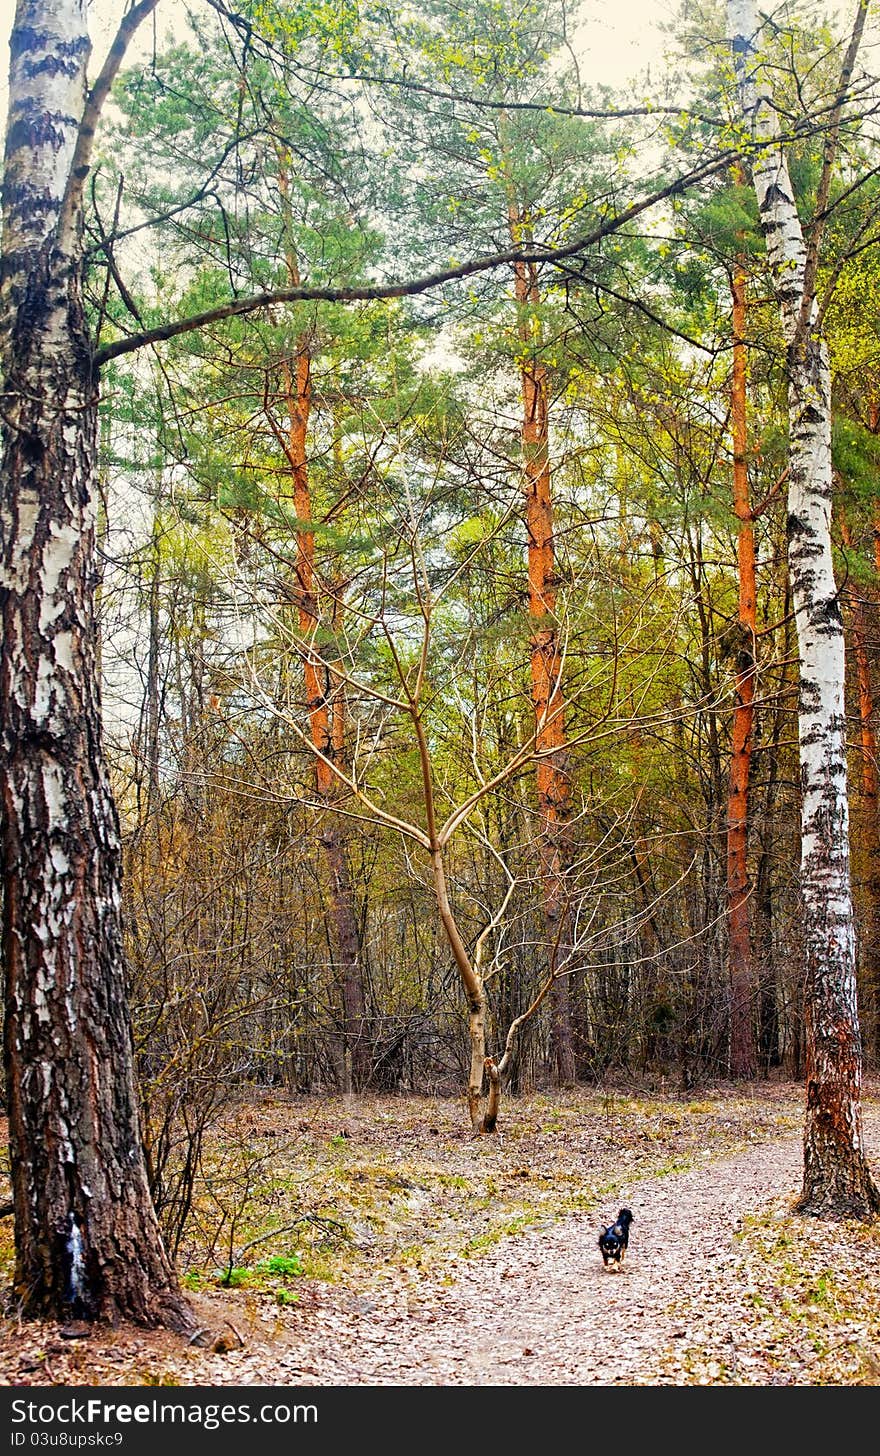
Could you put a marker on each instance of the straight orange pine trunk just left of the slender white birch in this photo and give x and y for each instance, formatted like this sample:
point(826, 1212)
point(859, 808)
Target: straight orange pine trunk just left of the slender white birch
point(739, 935)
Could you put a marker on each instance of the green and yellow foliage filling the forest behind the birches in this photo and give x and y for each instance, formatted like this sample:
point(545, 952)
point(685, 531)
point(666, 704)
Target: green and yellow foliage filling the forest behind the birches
point(285, 167)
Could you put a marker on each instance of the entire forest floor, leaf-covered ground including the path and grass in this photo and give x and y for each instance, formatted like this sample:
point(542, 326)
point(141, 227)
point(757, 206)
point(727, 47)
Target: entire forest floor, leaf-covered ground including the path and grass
point(372, 1241)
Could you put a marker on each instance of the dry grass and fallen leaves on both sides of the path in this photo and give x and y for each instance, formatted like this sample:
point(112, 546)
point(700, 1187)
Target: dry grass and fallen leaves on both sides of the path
point(308, 1196)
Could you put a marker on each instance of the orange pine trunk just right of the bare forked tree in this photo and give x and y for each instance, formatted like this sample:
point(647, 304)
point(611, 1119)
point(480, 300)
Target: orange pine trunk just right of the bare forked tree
point(553, 774)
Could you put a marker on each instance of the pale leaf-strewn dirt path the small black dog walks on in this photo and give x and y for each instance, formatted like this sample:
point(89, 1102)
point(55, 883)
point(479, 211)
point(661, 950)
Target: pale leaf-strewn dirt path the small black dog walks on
point(544, 1310)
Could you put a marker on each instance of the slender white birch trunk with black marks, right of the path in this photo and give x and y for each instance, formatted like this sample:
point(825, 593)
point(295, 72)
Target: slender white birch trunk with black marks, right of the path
point(837, 1176)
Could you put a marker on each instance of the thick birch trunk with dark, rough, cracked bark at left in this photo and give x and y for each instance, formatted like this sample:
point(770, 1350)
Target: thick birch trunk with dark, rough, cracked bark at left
point(87, 1235)
